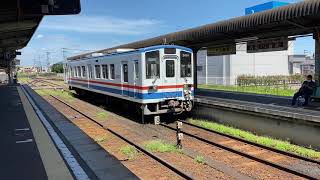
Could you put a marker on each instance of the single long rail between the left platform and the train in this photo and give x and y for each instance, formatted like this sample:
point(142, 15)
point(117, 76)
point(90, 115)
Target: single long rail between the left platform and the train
point(137, 146)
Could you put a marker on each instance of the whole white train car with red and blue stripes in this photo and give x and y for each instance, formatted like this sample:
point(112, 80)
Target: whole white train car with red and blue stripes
point(159, 78)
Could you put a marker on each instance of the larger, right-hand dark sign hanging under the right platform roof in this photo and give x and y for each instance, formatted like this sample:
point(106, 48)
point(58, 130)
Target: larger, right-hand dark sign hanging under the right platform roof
point(267, 45)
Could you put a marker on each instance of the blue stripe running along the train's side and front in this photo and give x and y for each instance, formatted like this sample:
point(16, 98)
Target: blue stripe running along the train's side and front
point(157, 95)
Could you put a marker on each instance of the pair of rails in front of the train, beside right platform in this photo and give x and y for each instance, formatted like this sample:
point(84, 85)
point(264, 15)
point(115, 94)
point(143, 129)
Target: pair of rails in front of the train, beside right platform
point(195, 135)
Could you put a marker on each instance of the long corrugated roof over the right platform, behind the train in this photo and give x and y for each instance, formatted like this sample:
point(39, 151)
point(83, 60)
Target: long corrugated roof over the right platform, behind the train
point(295, 19)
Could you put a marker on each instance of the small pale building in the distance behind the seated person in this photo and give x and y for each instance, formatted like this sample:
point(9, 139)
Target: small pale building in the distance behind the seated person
point(301, 64)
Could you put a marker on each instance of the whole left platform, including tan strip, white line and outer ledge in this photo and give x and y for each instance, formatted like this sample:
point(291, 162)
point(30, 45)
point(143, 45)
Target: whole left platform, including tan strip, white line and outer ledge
point(38, 142)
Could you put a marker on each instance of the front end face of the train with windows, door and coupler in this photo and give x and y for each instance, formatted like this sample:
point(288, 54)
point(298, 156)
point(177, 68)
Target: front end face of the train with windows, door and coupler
point(168, 76)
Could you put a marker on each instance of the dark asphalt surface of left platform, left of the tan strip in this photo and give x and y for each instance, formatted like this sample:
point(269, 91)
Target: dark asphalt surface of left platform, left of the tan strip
point(20, 158)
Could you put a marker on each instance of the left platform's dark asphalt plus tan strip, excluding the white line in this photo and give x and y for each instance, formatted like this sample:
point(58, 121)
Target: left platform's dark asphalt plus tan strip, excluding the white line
point(27, 151)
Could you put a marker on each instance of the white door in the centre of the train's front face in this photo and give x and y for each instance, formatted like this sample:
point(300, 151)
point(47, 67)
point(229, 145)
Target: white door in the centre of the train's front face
point(170, 77)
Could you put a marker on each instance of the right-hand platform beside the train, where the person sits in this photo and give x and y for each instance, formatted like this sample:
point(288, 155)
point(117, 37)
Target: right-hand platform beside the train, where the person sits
point(274, 105)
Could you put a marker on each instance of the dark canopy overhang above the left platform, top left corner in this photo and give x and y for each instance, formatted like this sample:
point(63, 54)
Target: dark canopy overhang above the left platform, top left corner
point(19, 20)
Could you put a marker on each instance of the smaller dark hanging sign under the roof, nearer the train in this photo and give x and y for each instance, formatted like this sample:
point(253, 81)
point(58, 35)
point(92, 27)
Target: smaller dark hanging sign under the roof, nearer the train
point(222, 50)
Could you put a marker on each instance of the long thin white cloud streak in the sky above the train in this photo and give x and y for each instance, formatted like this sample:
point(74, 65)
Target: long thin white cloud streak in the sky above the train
point(100, 24)
